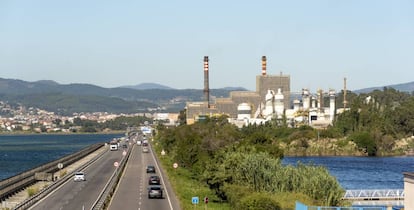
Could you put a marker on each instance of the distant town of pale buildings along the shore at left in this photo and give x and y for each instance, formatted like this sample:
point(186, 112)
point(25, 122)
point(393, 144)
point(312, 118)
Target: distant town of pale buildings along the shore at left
point(30, 119)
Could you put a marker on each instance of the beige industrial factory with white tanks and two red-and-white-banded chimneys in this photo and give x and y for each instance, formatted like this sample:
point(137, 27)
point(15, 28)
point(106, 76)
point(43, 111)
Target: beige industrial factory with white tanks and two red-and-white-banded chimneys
point(271, 101)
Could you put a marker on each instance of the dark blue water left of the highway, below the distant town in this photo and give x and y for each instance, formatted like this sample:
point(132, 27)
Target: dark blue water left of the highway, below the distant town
point(19, 153)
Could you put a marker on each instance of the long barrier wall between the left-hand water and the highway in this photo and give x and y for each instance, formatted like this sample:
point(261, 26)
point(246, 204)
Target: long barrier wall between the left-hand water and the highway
point(17, 183)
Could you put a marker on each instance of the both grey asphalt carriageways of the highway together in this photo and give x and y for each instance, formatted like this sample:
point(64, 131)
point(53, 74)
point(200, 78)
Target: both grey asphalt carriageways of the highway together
point(131, 192)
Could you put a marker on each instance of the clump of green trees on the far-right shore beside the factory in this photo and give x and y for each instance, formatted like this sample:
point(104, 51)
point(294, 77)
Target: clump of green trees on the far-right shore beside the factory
point(379, 123)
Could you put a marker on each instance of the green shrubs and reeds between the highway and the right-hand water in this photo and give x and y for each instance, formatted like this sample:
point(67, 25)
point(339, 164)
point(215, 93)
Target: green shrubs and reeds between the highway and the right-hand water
point(236, 167)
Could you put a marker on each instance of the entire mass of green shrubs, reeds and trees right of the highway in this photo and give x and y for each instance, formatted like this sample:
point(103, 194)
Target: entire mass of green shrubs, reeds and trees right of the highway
point(241, 168)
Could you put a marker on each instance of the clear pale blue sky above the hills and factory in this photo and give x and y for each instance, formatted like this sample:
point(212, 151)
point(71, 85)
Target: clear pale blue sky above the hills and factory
point(317, 43)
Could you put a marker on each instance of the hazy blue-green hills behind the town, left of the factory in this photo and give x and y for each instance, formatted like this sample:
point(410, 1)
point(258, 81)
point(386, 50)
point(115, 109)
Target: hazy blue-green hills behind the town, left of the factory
point(69, 98)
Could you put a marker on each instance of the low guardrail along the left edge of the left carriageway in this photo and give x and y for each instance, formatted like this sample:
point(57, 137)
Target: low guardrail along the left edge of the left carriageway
point(44, 192)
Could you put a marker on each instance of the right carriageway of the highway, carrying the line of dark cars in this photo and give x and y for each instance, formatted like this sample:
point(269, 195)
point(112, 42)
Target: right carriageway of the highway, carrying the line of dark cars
point(132, 189)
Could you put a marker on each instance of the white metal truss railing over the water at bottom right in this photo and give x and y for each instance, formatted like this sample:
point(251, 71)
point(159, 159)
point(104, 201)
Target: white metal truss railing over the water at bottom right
point(379, 194)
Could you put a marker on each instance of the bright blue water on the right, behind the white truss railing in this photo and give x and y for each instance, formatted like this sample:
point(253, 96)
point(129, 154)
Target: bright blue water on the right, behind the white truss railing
point(363, 172)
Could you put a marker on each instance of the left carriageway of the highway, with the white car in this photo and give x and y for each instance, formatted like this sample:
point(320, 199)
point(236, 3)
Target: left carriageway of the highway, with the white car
point(82, 195)
